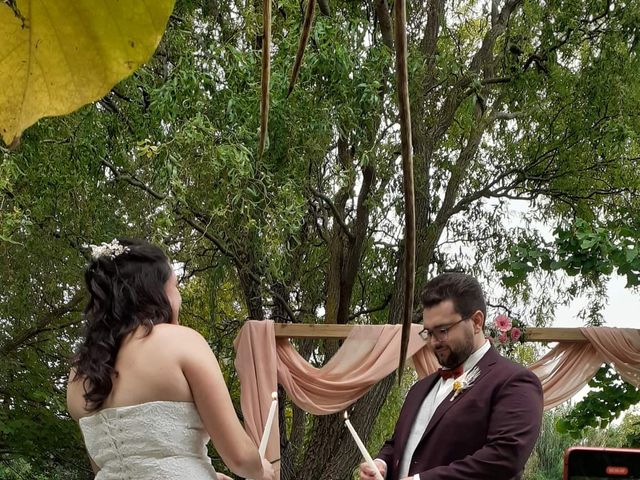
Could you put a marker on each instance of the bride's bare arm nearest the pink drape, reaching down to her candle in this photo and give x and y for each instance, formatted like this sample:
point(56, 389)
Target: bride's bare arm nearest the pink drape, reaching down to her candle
point(212, 399)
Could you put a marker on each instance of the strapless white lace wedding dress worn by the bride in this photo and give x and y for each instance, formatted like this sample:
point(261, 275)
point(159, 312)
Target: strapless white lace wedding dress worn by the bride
point(155, 440)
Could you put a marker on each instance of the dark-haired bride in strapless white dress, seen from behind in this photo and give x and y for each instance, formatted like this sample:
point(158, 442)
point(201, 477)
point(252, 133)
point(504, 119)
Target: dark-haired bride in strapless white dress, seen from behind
point(148, 393)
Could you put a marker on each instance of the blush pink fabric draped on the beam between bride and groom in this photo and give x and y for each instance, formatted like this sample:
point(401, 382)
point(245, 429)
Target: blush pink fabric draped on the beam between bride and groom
point(369, 354)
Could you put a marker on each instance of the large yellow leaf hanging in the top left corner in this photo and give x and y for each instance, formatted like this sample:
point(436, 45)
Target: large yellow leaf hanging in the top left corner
point(57, 55)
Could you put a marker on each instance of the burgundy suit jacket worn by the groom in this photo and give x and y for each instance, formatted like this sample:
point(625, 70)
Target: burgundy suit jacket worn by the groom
point(486, 433)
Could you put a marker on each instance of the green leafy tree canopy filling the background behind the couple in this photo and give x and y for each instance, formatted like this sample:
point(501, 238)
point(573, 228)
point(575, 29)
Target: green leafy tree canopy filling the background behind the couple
point(512, 101)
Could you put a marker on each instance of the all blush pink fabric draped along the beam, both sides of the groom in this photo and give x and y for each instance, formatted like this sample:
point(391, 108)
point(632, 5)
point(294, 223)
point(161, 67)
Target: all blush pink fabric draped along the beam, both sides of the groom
point(371, 352)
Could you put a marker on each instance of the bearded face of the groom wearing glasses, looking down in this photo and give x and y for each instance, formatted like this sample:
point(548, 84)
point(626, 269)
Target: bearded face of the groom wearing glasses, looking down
point(452, 340)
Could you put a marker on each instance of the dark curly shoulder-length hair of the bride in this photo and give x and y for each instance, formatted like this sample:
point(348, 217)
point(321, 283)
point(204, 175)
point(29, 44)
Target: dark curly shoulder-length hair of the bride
point(126, 290)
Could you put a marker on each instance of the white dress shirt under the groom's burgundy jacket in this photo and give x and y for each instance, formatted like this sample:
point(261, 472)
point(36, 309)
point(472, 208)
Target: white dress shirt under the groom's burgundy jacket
point(434, 398)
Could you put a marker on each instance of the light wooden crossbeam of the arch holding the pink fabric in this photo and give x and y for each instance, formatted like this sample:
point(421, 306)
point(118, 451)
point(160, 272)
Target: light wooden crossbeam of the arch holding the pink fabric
point(300, 330)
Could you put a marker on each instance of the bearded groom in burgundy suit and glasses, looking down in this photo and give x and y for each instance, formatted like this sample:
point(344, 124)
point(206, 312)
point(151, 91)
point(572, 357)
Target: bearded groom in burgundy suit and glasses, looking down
point(454, 426)
